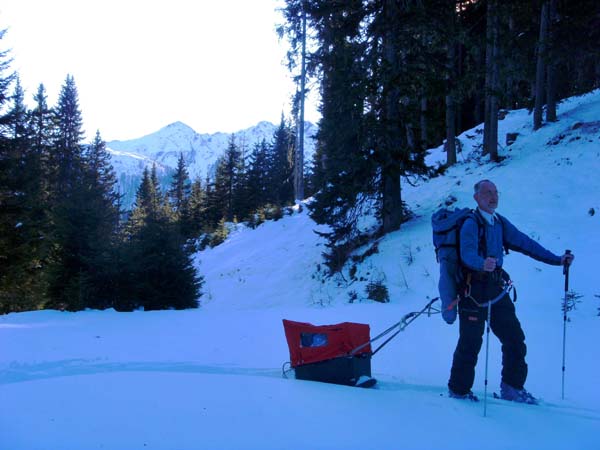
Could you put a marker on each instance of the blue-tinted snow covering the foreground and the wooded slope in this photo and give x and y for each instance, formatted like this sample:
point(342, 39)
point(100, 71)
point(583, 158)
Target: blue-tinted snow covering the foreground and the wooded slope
point(211, 378)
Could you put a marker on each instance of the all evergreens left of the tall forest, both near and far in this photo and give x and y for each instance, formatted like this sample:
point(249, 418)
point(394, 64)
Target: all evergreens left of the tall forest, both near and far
point(66, 243)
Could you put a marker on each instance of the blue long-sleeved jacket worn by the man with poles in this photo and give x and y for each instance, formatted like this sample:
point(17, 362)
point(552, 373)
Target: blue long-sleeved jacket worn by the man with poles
point(501, 231)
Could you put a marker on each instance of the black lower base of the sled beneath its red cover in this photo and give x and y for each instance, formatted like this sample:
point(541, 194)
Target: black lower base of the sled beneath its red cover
point(346, 370)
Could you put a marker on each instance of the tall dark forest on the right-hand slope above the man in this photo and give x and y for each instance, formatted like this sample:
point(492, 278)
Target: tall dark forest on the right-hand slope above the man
point(397, 77)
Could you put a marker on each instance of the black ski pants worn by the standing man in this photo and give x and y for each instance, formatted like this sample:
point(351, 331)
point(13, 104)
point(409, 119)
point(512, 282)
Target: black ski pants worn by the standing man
point(505, 326)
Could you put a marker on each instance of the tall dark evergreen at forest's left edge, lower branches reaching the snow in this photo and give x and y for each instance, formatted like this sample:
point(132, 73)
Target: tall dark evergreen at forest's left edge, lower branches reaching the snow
point(346, 171)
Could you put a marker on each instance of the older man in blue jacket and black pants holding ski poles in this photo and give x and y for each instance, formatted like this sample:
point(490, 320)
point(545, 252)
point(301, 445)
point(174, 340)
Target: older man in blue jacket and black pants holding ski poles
point(482, 238)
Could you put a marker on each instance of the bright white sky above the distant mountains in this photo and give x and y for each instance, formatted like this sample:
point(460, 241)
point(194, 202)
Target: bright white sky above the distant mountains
point(139, 65)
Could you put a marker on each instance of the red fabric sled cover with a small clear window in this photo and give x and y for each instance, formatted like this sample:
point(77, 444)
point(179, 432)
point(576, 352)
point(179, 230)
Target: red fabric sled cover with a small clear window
point(313, 343)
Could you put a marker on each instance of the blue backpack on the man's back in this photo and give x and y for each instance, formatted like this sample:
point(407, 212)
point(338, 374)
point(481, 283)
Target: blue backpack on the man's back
point(446, 224)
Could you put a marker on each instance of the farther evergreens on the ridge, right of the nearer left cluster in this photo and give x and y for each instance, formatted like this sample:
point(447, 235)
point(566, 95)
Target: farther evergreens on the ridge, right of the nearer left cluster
point(248, 185)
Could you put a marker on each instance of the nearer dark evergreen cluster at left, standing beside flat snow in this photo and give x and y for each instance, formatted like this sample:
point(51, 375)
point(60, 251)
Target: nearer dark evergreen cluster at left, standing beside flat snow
point(63, 244)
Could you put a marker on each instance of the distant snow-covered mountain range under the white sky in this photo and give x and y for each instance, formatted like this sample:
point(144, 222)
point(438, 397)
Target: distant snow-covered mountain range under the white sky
point(200, 152)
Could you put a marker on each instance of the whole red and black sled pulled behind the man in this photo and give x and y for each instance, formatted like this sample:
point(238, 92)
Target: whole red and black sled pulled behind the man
point(328, 353)
